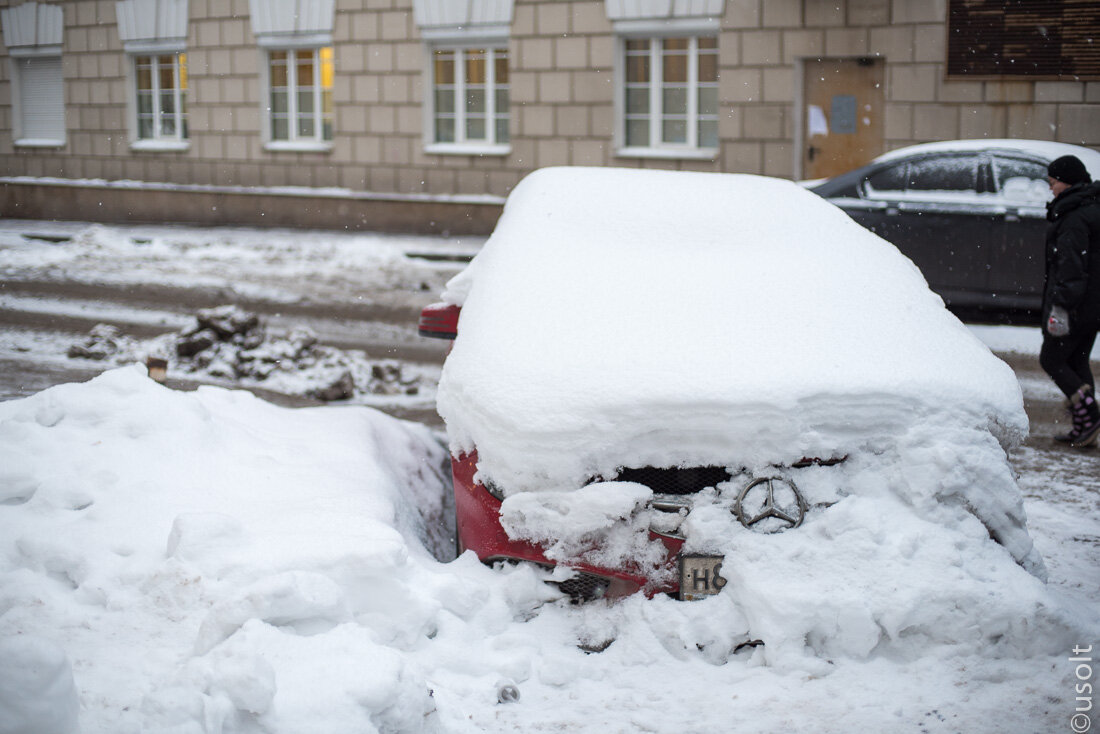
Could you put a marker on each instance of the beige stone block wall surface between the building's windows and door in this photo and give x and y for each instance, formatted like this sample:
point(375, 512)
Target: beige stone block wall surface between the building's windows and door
point(563, 80)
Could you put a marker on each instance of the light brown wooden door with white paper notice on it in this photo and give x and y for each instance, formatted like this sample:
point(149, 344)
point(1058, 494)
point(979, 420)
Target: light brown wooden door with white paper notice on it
point(843, 117)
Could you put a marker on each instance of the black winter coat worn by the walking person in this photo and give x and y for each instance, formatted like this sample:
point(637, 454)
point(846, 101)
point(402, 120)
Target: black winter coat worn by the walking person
point(1073, 255)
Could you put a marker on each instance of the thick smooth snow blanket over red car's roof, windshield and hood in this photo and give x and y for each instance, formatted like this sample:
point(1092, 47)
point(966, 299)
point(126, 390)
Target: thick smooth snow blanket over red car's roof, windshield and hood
point(631, 319)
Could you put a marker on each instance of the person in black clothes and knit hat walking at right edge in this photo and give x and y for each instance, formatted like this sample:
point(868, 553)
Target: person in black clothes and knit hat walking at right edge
point(1072, 294)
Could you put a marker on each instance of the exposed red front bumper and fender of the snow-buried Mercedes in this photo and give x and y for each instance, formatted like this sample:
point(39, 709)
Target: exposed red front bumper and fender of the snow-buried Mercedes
point(479, 528)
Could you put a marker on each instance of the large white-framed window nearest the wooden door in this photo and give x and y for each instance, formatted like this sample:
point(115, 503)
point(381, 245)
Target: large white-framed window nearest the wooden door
point(670, 95)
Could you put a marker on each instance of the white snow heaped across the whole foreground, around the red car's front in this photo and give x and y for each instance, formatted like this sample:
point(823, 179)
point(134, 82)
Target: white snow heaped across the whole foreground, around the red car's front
point(207, 563)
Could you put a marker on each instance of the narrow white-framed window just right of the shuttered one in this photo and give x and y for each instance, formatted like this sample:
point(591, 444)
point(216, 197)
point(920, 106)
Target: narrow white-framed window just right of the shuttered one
point(161, 97)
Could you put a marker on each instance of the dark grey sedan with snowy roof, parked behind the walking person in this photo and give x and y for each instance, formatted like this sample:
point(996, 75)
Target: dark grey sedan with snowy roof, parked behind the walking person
point(972, 214)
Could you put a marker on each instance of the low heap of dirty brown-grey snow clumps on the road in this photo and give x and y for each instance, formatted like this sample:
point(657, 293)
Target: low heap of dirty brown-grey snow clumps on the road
point(230, 345)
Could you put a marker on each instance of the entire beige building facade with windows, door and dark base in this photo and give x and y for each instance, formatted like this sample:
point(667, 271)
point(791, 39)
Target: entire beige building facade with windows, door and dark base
point(422, 115)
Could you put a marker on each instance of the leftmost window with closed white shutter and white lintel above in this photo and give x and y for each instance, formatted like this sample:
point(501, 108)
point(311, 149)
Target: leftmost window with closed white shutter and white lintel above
point(32, 32)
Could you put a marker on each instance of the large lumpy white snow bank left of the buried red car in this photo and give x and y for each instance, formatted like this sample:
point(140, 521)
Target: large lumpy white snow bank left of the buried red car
point(213, 563)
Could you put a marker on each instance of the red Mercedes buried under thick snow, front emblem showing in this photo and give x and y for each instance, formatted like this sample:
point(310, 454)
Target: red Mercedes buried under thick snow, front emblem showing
point(651, 368)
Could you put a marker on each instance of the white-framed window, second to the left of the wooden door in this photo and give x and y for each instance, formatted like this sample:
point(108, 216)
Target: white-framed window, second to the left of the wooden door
point(470, 96)
